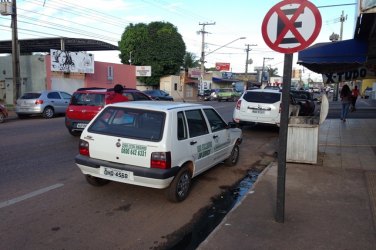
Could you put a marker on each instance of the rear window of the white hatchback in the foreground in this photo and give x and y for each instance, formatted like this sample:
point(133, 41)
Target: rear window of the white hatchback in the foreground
point(130, 123)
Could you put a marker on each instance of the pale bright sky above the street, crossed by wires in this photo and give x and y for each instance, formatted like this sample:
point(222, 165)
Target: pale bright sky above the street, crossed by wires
point(227, 22)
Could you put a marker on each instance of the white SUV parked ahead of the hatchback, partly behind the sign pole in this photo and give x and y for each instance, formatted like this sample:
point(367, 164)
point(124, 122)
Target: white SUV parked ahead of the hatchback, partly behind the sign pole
point(262, 106)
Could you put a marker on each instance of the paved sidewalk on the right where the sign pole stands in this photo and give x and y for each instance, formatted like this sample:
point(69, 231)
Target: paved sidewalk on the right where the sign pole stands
point(330, 205)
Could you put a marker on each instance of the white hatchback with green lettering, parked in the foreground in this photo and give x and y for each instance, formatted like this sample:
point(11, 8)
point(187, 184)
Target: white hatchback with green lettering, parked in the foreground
point(156, 144)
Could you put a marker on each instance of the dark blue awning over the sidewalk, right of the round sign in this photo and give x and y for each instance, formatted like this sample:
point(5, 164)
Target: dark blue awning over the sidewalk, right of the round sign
point(334, 56)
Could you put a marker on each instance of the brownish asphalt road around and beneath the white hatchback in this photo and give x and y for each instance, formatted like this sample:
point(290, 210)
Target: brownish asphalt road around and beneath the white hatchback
point(45, 202)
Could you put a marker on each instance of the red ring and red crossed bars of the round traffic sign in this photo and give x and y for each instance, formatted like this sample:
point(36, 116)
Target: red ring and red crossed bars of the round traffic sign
point(289, 26)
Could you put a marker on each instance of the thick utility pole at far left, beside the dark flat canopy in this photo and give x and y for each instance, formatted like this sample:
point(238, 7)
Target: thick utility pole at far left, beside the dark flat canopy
point(15, 54)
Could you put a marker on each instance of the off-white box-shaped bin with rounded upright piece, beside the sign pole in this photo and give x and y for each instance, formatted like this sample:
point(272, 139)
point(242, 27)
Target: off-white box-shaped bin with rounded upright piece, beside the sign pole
point(303, 135)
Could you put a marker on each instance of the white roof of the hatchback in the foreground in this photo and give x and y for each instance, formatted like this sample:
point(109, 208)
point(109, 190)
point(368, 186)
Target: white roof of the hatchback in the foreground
point(159, 105)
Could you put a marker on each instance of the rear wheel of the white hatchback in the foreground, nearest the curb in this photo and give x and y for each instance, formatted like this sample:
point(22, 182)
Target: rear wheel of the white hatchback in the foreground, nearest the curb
point(180, 186)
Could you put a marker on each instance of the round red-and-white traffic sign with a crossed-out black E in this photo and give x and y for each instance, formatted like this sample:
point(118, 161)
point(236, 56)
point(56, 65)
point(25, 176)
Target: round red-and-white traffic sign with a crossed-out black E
point(291, 26)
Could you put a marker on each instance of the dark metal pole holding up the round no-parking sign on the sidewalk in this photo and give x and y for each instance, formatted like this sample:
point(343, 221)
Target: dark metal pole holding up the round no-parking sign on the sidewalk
point(283, 130)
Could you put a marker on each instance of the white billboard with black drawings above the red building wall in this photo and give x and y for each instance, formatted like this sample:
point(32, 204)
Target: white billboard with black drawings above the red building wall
point(77, 62)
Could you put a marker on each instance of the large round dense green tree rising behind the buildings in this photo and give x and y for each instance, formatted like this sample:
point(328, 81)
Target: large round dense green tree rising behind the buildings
point(157, 44)
